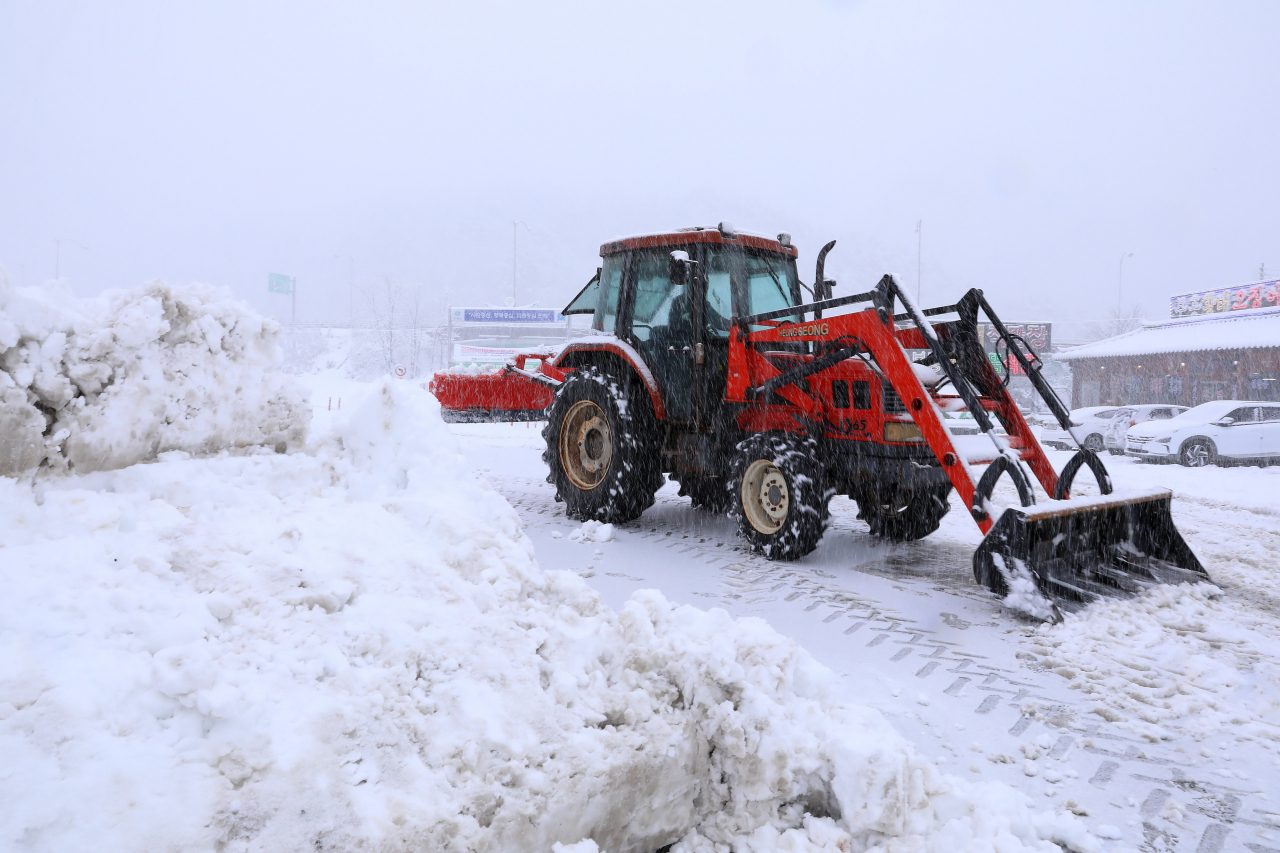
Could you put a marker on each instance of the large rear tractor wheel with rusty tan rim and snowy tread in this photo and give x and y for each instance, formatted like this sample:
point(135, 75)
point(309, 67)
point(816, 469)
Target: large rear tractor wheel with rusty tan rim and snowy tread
point(601, 449)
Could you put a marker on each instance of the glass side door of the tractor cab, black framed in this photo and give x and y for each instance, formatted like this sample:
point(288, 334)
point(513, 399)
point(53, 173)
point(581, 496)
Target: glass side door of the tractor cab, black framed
point(664, 330)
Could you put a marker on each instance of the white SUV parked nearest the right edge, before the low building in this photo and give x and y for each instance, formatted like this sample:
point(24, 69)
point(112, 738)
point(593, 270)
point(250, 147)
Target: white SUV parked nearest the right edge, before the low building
point(1222, 432)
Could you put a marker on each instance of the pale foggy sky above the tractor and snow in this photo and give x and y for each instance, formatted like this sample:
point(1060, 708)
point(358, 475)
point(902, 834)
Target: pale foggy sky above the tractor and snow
point(1037, 143)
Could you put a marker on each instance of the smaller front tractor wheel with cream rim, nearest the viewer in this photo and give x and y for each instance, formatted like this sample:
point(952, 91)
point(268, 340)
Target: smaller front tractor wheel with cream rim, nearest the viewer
point(779, 495)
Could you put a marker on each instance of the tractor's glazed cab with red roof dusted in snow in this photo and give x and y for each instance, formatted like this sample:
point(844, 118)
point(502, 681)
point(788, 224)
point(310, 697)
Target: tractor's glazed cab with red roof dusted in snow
point(671, 297)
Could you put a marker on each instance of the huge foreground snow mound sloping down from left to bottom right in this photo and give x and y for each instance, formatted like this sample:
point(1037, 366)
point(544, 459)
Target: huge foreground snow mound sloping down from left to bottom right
point(355, 649)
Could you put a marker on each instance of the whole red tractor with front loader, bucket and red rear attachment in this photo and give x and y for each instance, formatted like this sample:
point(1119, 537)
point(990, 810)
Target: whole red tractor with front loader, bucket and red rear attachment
point(706, 363)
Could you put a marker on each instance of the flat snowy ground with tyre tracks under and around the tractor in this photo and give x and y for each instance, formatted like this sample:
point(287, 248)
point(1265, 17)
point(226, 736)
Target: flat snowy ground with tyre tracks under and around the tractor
point(1158, 719)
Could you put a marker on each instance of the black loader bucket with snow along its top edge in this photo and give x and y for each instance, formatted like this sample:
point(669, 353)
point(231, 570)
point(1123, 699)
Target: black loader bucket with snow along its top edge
point(1082, 550)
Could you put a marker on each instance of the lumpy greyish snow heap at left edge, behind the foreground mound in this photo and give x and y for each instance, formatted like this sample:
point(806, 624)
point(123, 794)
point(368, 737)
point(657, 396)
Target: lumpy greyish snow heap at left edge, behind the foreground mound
point(106, 384)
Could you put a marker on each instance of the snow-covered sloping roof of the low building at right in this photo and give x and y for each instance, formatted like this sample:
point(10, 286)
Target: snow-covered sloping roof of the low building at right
point(1258, 330)
